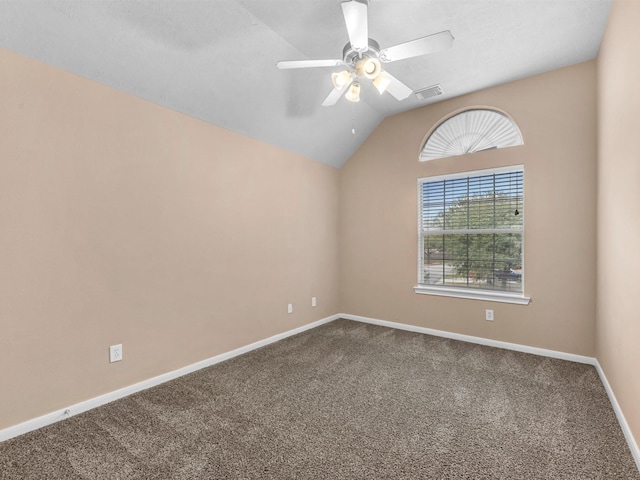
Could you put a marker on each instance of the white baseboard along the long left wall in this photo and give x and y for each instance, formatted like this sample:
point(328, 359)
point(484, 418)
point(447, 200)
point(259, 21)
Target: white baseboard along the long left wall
point(64, 413)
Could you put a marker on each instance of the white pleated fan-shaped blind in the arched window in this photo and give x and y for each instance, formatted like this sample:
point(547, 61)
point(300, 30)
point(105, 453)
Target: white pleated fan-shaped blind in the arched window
point(471, 131)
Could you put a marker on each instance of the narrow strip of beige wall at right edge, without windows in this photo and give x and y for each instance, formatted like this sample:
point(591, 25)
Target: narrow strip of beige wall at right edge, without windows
point(618, 320)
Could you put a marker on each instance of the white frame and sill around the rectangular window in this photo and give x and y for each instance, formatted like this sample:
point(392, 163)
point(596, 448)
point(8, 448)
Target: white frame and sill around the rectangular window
point(462, 292)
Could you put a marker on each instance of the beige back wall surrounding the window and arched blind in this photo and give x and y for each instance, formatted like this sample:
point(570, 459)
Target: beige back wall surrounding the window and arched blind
point(556, 113)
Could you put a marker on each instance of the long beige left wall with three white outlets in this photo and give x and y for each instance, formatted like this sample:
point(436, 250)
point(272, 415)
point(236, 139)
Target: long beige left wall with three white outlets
point(124, 222)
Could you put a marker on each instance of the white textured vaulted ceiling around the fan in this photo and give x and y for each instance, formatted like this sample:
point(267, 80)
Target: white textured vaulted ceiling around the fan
point(215, 59)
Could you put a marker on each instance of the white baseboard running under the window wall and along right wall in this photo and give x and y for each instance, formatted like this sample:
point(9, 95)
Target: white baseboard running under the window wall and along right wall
point(633, 446)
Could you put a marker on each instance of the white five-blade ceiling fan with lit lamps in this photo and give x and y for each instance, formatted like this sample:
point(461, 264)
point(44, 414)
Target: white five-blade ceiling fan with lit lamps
point(362, 56)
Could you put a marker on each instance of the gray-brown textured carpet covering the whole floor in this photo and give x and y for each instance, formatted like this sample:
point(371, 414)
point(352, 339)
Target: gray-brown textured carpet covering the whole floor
point(346, 401)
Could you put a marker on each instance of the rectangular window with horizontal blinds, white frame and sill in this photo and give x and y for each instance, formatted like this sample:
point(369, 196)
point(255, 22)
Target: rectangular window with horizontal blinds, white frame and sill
point(471, 232)
